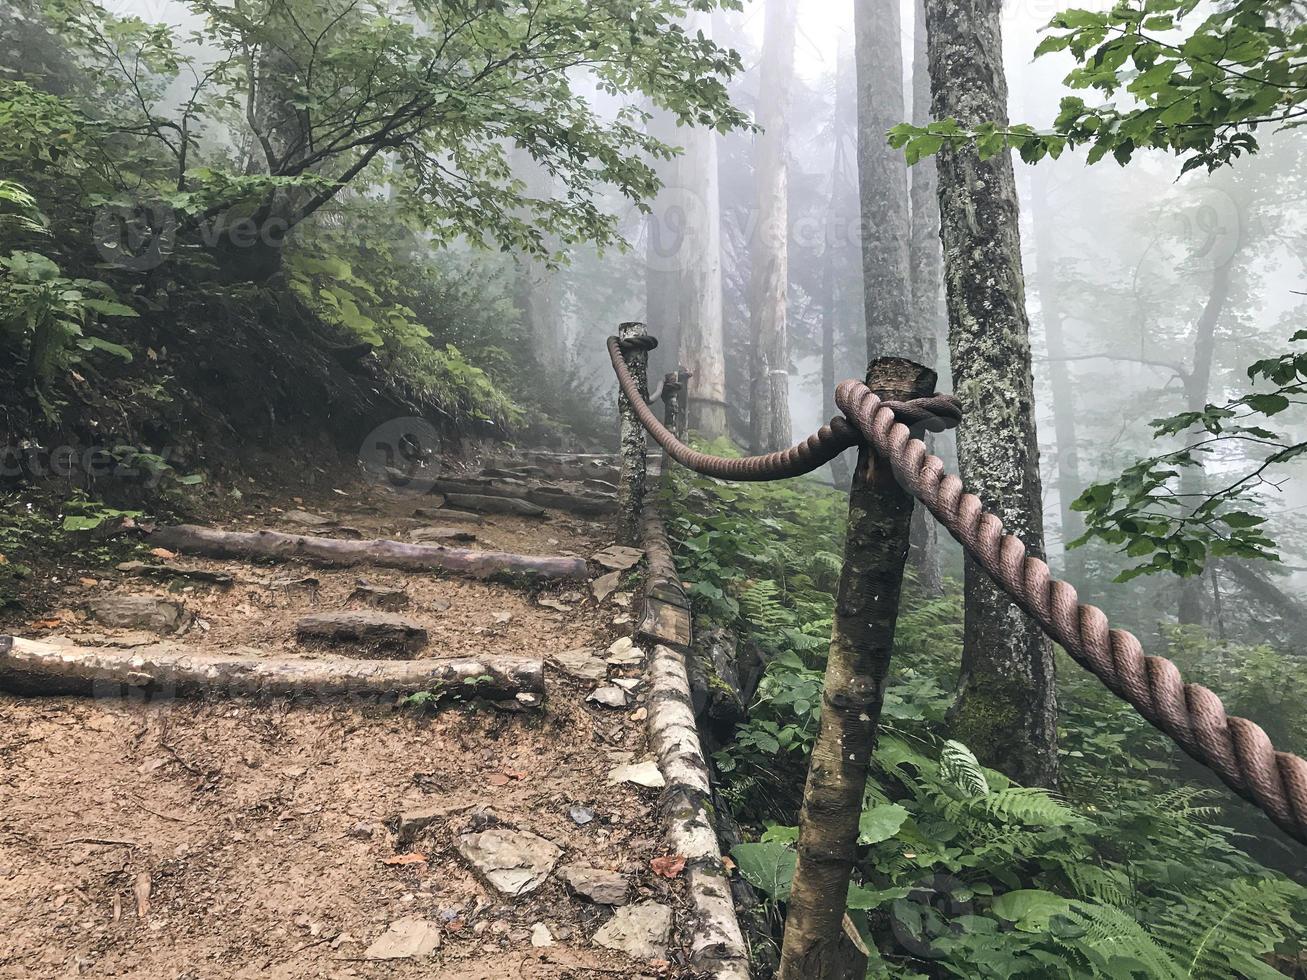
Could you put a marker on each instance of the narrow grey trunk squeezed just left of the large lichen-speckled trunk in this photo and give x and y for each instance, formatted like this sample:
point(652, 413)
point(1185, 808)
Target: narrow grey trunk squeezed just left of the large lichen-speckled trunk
point(926, 262)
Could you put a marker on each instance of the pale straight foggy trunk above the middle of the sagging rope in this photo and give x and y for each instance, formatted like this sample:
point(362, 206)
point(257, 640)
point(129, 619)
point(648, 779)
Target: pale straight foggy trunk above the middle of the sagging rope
point(769, 374)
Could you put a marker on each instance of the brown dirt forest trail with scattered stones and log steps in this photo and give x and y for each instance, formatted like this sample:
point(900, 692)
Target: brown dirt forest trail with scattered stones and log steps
point(239, 838)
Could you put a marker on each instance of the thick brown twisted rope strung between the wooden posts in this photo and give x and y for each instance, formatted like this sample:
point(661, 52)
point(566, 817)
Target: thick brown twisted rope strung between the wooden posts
point(1238, 751)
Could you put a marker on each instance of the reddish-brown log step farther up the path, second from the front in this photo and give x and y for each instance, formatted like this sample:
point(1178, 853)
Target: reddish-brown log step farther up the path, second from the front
point(391, 555)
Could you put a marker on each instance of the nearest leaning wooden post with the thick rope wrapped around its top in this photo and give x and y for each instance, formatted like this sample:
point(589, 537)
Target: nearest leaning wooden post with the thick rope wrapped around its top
point(819, 944)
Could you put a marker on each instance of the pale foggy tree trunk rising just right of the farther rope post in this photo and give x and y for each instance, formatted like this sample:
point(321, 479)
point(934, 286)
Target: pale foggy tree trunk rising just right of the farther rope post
point(700, 310)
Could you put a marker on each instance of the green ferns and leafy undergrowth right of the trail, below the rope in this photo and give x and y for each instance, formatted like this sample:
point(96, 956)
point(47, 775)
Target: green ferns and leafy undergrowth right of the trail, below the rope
point(1139, 867)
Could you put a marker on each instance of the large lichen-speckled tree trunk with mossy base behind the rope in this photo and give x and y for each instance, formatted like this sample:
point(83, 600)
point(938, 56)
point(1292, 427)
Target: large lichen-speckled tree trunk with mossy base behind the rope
point(1007, 704)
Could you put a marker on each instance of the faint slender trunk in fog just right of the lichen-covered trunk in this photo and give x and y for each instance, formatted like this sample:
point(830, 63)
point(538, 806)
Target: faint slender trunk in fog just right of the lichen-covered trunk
point(1070, 483)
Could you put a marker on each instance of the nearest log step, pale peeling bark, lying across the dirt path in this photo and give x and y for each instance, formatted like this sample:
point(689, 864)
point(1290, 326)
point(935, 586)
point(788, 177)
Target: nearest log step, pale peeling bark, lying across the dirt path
point(164, 671)
